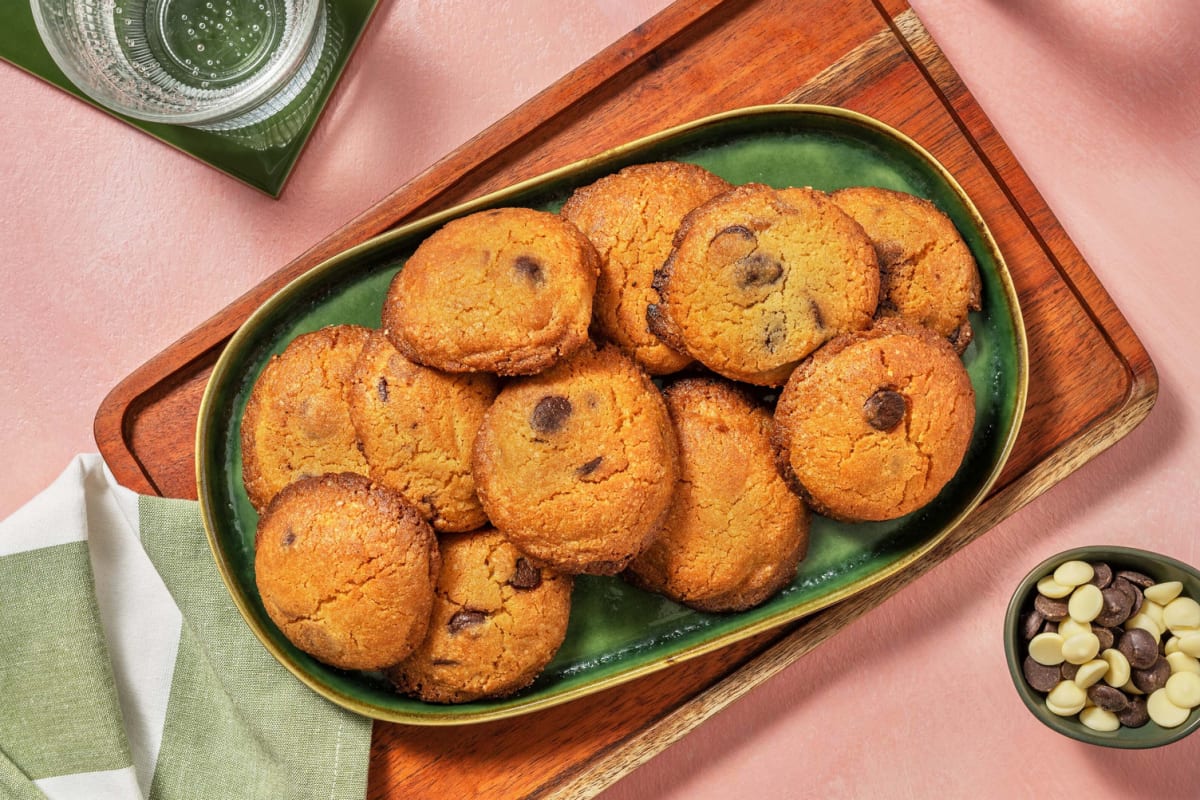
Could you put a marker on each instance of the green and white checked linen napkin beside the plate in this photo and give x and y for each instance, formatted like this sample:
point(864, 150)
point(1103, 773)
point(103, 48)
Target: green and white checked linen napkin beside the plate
point(128, 672)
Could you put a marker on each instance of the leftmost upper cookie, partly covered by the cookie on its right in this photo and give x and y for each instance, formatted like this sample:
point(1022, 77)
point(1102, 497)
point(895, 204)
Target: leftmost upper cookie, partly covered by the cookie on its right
point(298, 418)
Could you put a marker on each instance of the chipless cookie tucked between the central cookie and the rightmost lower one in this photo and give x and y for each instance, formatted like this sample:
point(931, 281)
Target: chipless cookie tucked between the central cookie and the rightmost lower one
point(736, 532)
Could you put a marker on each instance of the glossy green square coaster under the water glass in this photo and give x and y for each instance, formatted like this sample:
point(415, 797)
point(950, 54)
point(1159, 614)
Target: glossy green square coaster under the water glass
point(263, 160)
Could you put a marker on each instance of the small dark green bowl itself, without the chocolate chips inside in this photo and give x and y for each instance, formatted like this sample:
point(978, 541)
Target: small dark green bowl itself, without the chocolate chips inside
point(1161, 569)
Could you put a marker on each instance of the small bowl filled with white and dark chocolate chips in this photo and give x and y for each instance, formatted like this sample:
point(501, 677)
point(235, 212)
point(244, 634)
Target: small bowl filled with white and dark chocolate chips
point(1103, 645)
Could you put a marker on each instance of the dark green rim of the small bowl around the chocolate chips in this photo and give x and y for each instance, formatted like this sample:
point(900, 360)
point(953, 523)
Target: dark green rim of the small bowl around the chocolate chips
point(1071, 726)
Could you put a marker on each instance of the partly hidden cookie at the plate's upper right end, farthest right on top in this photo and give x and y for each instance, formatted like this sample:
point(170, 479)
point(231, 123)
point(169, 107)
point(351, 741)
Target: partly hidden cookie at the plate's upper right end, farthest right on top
point(927, 272)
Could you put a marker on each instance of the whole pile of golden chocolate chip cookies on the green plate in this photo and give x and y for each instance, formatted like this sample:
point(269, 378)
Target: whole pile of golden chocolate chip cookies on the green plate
point(428, 490)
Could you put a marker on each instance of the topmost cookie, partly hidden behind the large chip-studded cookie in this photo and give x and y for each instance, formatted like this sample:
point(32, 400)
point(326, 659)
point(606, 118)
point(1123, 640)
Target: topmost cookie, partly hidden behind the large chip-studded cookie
point(632, 218)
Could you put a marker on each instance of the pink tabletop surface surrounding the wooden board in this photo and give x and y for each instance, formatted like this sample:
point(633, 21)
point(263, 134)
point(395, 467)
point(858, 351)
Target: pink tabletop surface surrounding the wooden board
point(115, 246)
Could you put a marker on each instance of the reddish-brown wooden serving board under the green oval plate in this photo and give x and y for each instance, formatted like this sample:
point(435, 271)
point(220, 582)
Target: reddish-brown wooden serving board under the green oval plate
point(1091, 380)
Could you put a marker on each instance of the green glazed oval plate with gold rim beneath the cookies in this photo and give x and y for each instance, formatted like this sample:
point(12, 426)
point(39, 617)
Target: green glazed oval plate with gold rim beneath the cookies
point(619, 633)
